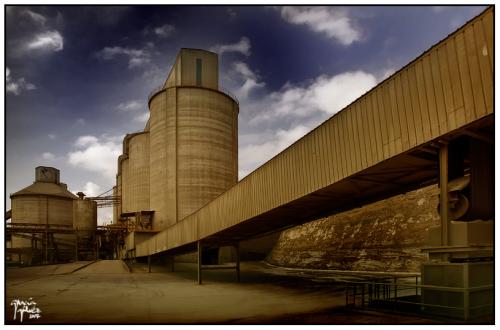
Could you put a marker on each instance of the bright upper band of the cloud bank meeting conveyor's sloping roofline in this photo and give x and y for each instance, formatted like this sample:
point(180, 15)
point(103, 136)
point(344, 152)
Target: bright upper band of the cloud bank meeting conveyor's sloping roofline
point(325, 94)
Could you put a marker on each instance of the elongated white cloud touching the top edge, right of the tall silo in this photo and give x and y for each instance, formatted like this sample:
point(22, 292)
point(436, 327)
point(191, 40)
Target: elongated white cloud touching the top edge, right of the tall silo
point(335, 24)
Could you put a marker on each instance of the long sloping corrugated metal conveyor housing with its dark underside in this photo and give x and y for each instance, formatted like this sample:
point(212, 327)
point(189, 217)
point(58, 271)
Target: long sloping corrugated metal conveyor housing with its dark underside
point(378, 146)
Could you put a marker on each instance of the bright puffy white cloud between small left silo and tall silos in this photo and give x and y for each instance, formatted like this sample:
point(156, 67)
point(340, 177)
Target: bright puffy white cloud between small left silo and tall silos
point(96, 154)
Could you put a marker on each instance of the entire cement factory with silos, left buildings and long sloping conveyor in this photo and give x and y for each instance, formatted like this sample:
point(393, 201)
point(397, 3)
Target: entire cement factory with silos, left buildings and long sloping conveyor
point(177, 195)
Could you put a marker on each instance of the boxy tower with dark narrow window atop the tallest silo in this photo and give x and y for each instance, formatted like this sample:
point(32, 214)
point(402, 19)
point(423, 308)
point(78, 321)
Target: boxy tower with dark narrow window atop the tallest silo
point(194, 67)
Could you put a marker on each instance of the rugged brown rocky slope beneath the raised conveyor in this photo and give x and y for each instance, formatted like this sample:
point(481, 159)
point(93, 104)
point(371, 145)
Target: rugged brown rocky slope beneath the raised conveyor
point(383, 236)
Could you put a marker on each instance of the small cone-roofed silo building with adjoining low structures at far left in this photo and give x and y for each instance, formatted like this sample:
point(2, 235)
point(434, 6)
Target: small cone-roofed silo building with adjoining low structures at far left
point(49, 224)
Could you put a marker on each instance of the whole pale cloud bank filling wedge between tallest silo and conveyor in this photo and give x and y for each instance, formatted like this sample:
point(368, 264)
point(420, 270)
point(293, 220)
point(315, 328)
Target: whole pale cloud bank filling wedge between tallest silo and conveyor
point(283, 117)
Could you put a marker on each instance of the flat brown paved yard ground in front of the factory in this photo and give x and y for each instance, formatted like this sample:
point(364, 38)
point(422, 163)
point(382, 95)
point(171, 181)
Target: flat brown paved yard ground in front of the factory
point(106, 292)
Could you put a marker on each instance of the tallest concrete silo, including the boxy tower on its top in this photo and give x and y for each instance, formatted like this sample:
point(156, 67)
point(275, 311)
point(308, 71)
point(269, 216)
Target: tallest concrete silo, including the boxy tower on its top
point(193, 133)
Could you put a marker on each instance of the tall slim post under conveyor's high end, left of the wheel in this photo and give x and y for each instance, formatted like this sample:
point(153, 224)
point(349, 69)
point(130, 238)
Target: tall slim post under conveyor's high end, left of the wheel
point(443, 196)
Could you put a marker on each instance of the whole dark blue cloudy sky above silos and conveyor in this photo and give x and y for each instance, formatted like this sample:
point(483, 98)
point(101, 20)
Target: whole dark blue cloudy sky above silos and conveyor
point(77, 78)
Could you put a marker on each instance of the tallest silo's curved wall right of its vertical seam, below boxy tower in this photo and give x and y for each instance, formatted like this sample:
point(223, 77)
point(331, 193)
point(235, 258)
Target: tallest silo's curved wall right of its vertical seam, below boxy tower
point(206, 147)
